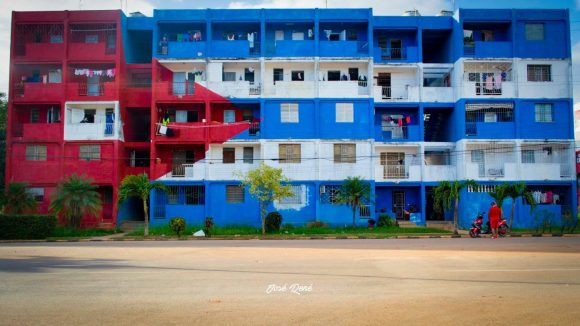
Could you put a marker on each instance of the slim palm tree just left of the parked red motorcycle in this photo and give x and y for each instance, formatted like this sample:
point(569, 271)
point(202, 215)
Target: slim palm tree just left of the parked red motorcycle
point(446, 193)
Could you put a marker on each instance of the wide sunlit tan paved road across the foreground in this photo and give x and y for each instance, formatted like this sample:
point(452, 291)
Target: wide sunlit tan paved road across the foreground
point(516, 281)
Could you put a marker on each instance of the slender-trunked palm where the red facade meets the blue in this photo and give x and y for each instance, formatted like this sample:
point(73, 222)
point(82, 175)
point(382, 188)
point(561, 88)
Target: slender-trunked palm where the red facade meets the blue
point(139, 186)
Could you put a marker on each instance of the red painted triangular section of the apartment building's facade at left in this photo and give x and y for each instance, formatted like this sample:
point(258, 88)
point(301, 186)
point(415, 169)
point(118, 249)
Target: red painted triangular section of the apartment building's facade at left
point(48, 50)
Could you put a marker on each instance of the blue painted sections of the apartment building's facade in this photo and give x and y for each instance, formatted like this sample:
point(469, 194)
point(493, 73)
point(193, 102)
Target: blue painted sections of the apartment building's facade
point(355, 35)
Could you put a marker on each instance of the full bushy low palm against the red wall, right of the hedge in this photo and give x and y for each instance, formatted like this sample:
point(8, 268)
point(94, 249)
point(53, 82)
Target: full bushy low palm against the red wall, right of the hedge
point(76, 197)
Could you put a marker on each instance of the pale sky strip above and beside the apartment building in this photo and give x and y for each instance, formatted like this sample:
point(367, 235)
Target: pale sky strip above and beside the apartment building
point(380, 7)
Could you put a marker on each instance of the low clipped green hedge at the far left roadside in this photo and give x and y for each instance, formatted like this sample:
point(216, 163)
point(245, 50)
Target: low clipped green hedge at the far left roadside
point(14, 227)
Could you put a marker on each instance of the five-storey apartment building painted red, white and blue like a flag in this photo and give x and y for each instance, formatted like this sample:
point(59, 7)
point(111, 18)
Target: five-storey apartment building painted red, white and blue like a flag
point(196, 97)
